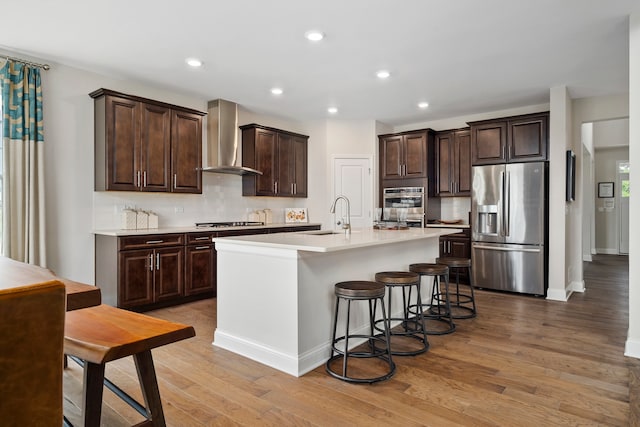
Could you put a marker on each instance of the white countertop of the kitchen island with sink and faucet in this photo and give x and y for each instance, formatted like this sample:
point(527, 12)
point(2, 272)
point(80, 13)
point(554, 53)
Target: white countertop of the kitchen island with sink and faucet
point(312, 241)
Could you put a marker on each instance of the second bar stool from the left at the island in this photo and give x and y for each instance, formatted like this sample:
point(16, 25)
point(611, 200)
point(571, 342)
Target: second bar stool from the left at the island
point(410, 327)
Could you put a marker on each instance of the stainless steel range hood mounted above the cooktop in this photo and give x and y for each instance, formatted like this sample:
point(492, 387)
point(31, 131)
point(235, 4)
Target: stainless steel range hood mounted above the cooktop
point(222, 139)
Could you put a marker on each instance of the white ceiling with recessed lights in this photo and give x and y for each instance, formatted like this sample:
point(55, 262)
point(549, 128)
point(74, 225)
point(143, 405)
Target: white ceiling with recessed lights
point(462, 56)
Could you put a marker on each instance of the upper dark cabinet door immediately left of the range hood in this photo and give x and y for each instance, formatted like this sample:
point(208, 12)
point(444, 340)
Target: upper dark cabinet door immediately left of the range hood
point(186, 152)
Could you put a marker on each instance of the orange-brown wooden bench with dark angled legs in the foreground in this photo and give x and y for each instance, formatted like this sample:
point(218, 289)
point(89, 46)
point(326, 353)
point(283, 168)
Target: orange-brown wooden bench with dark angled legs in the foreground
point(102, 333)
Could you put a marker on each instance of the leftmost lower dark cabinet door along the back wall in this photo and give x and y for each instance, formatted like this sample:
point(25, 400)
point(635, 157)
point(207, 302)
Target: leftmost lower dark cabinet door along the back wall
point(136, 269)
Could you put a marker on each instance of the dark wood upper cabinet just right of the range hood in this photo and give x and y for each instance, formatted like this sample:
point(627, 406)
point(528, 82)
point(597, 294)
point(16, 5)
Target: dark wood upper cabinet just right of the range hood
point(281, 156)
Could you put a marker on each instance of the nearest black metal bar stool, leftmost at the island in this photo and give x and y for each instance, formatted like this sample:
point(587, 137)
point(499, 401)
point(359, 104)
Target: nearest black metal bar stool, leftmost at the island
point(361, 291)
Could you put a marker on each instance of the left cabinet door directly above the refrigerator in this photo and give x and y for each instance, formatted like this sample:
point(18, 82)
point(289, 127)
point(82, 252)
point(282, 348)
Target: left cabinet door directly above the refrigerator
point(488, 143)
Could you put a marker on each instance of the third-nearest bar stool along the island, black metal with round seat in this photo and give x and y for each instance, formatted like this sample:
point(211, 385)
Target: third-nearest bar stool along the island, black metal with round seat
point(439, 307)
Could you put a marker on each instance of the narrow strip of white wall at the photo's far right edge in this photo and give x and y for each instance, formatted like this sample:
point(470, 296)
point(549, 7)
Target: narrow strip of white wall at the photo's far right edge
point(633, 338)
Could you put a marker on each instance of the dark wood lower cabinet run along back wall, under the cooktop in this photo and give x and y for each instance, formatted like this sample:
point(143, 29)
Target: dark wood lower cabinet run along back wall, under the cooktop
point(155, 270)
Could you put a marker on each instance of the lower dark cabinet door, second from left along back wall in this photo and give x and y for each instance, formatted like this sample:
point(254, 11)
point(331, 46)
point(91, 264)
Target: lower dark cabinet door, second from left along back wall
point(169, 273)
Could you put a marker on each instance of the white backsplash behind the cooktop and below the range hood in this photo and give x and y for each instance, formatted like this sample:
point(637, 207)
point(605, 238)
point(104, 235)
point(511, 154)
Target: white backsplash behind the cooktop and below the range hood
point(221, 200)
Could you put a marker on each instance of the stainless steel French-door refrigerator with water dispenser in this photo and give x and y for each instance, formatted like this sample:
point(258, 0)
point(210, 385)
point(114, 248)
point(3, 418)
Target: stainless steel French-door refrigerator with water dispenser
point(509, 227)
